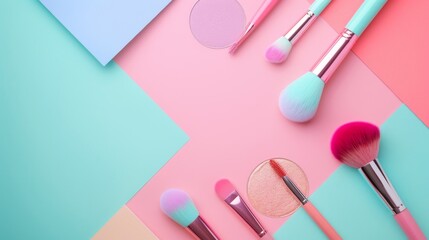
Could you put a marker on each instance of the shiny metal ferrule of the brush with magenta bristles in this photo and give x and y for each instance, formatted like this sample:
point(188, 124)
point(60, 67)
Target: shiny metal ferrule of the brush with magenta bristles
point(378, 179)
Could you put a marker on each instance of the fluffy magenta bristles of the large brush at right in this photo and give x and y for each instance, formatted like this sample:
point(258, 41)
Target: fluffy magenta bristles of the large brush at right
point(356, 143)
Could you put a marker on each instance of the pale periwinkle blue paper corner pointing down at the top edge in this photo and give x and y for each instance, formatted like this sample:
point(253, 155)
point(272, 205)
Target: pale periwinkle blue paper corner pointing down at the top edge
point(104, 27)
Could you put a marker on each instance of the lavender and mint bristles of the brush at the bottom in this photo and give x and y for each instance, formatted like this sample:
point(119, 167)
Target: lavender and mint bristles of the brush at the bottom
point(177, 204)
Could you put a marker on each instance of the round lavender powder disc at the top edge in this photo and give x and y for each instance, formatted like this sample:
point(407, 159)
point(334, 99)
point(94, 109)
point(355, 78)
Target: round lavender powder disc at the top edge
point(217, 23)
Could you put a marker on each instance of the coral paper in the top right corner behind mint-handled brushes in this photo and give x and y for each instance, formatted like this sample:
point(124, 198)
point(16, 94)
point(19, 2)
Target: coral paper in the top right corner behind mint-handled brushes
point(394, 47)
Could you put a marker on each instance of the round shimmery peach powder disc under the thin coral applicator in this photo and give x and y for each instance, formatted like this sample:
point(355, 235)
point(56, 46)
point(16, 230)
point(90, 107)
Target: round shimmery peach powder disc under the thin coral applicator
point(267, 192)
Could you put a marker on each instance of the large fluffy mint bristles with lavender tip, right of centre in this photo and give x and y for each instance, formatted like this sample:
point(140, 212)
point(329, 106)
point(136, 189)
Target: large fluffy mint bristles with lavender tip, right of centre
point(299, 101)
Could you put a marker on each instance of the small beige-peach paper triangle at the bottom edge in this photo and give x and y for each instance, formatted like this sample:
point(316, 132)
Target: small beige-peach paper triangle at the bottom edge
point(124, 226)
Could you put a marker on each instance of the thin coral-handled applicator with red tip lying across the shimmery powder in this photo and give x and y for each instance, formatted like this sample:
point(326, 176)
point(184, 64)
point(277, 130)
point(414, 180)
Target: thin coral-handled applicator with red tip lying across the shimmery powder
point(306, 204)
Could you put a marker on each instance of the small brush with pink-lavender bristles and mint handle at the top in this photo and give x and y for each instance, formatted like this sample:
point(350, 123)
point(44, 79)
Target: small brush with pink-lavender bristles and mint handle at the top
point(279, 50)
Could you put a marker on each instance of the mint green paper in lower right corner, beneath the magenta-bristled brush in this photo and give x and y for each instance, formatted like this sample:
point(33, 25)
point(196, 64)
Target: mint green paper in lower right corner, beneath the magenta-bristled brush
point(353, 208)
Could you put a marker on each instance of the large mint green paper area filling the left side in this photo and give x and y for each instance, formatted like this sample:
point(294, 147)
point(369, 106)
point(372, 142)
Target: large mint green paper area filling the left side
point(77, 140)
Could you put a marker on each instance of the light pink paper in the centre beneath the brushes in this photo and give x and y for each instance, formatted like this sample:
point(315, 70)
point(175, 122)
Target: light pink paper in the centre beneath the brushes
point(228, 107)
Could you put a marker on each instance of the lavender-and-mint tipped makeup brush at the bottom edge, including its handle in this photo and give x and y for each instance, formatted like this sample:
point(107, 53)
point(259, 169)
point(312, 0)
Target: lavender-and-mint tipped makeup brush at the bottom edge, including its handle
point(177, 204)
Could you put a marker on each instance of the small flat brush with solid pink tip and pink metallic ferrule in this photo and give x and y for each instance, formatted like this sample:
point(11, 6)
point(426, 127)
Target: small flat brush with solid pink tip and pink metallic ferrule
point(226, 191)
